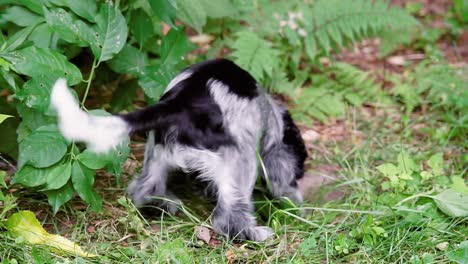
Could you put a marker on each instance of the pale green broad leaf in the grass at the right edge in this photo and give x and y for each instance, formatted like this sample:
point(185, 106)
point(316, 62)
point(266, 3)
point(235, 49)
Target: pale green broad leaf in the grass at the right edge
point(452, 203)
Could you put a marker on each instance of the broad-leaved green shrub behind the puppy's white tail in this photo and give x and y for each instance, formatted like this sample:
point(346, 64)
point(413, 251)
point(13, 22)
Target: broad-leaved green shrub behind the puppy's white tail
point(49, 39)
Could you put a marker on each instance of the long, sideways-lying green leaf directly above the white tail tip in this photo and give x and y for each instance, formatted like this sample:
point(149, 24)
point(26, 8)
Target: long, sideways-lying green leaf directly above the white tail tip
point(37, 62)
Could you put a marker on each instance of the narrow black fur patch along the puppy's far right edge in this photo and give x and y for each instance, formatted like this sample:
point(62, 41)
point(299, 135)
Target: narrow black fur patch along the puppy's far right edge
point(292, 138)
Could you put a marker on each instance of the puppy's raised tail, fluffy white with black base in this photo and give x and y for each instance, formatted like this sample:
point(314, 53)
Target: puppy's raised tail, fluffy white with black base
point(100, 133)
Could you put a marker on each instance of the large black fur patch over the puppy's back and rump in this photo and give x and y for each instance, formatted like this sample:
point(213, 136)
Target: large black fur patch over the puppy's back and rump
point(189, 113)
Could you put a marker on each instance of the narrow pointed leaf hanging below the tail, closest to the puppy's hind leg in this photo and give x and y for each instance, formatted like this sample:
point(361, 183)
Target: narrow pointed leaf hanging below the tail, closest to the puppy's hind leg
point(83, 180)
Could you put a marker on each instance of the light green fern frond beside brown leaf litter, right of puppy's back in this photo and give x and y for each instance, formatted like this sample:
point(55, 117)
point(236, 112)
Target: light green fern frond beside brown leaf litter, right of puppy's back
point(332, 90)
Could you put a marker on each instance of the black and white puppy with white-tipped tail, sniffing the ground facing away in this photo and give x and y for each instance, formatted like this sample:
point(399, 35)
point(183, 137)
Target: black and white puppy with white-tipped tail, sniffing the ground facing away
point(210, 120)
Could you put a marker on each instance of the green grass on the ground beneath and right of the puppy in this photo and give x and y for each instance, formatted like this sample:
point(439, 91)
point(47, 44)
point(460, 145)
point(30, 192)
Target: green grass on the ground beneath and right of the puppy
point(363, 225)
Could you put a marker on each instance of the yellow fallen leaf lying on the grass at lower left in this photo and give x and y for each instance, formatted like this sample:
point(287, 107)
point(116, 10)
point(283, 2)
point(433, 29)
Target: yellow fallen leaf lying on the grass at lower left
point(25, 224)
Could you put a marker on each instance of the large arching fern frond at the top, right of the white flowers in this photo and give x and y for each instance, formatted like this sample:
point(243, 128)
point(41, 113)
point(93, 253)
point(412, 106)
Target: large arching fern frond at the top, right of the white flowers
point(332, 24)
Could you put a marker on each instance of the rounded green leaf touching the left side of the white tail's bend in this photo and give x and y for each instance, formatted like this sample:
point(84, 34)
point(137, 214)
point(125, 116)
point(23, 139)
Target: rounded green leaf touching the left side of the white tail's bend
point(43, 147)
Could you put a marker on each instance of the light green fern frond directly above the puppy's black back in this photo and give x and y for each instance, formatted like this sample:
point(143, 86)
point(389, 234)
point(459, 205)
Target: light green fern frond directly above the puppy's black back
point(255, 55)
